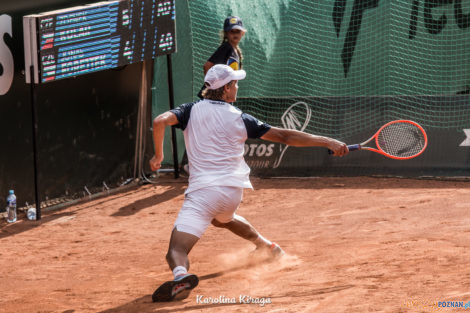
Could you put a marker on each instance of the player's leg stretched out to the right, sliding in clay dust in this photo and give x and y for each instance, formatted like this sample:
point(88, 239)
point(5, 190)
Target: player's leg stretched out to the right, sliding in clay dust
point(241, 227)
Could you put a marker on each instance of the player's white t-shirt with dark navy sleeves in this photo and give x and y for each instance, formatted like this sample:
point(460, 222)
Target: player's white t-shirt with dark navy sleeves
point(215, 133)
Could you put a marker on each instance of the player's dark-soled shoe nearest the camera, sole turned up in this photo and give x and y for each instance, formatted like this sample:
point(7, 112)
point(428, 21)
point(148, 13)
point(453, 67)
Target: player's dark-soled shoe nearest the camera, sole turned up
point(177, 289)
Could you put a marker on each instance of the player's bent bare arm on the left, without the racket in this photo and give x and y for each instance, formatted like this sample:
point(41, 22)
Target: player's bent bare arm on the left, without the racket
point(159, 124)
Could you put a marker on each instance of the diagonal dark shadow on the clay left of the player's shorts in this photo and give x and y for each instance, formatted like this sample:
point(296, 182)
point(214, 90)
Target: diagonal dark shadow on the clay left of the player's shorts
point(136, 206)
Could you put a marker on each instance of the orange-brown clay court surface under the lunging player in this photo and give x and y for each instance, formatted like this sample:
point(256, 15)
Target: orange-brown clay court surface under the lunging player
point(352, 244)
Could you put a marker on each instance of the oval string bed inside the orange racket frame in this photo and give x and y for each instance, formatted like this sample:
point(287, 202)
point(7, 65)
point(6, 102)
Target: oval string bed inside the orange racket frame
point(401, 140)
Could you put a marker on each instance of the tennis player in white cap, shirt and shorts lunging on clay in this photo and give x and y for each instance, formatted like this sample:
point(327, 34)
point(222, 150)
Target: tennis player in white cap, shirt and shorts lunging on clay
point(215, 133)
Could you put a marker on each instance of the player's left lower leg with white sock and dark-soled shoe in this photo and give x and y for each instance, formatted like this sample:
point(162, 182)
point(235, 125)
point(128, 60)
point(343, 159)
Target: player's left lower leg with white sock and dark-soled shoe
point(181, 244)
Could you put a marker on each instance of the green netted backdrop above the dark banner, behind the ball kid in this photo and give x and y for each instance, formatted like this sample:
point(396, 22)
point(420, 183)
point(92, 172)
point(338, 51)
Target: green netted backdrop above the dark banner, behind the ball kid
point(342, 48)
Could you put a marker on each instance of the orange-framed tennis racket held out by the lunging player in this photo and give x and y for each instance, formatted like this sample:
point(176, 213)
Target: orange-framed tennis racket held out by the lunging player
point(399, 140)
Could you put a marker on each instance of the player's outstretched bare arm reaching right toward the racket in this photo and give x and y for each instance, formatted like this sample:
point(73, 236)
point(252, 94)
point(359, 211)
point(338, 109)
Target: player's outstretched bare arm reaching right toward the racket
point(297, 138)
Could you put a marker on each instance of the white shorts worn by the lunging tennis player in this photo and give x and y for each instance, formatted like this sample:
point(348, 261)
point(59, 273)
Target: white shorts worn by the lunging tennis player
point(202, 205)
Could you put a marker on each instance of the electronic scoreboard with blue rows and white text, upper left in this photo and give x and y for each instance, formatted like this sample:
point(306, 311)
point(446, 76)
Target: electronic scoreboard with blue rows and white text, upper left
point(104, 35)
